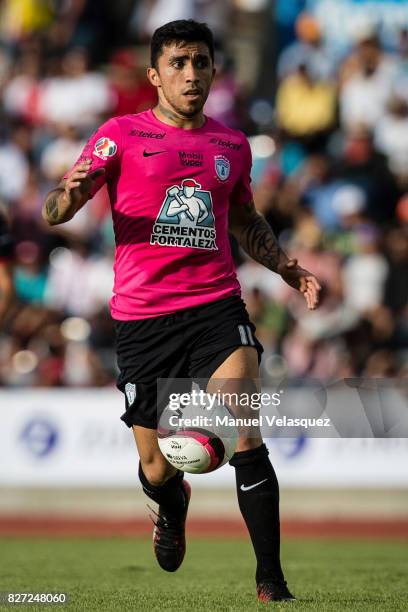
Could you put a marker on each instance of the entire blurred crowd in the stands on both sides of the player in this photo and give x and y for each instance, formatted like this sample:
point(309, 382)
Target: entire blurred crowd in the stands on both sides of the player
point(330, 174)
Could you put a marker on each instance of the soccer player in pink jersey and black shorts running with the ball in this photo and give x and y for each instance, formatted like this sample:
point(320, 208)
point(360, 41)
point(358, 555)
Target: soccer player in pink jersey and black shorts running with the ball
point(178, 182)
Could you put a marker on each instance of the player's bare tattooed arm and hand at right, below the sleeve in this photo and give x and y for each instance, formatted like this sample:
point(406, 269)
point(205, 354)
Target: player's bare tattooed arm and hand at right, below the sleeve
point(256, 237)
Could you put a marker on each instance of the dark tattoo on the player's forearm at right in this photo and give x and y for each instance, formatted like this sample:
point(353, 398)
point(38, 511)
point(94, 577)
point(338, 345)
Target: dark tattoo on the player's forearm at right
point(257, 238)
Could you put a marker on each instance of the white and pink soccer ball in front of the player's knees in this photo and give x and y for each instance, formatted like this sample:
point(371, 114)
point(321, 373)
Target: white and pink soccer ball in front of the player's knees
point(196, 438)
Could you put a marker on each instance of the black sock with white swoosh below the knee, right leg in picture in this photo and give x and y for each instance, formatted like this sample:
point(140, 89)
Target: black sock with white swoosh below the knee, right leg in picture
point(259, 506)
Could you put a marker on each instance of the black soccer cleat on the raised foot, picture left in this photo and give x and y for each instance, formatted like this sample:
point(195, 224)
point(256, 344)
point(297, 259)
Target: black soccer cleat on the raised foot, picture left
point(169, 539)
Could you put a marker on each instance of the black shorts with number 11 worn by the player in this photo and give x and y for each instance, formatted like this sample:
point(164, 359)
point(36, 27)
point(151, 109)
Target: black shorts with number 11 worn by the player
point(190, 343)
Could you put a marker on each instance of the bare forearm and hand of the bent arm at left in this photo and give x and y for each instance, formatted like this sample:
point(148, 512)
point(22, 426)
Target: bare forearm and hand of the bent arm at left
point(72, 194)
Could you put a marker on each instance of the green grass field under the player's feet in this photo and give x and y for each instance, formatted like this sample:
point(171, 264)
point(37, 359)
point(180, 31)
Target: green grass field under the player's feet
point(117, 574)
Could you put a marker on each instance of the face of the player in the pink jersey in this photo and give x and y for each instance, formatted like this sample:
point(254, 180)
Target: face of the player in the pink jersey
point(183, 77)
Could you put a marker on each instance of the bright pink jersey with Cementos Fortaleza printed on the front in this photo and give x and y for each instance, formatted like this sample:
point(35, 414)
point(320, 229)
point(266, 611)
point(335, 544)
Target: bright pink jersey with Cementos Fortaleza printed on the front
point(170, 190)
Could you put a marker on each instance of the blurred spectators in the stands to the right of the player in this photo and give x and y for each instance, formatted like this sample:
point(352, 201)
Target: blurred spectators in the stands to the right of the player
point(334, 187)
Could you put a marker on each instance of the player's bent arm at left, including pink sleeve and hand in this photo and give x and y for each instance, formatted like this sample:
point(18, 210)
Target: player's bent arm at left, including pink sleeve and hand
point(98, 163)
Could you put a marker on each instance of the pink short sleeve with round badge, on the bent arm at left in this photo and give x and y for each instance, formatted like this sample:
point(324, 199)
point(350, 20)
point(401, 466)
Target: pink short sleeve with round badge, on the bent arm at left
point(104, 148)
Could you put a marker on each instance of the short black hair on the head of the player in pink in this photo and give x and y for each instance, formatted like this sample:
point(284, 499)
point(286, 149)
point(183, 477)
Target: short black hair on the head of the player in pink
point(183, 30)
